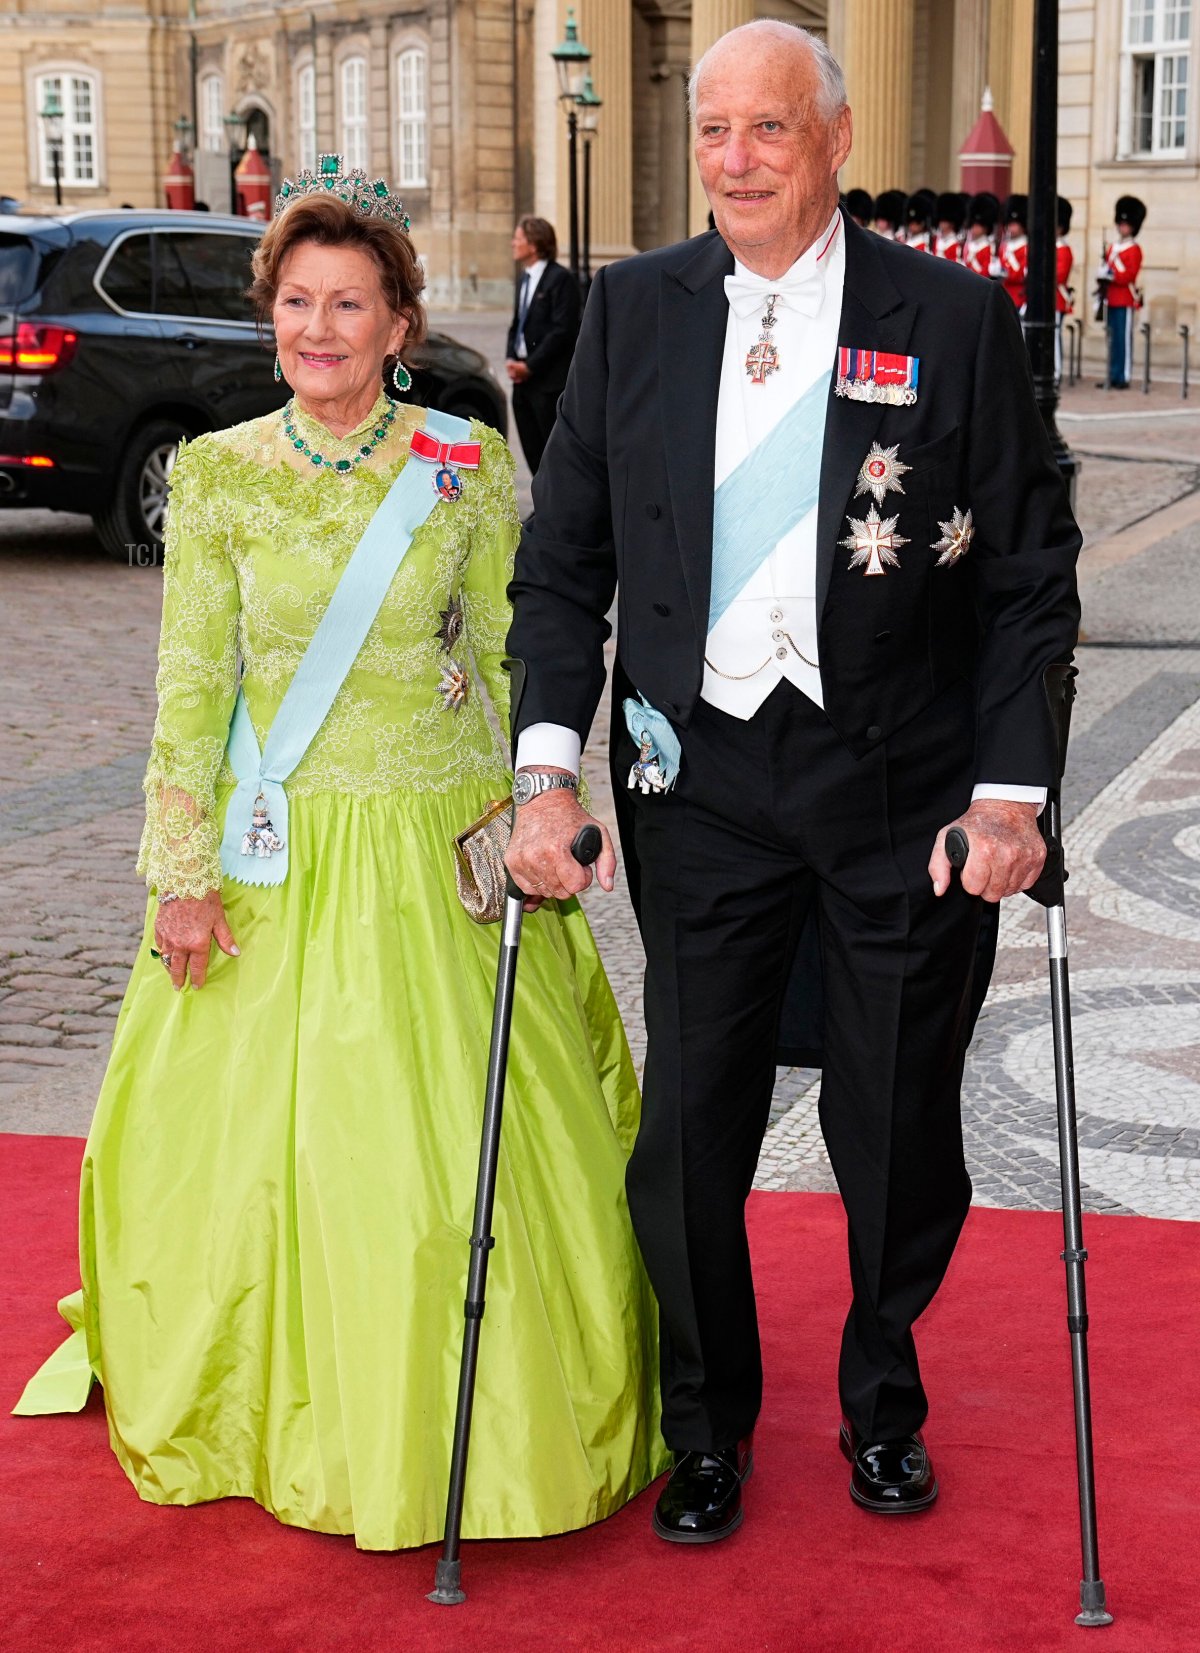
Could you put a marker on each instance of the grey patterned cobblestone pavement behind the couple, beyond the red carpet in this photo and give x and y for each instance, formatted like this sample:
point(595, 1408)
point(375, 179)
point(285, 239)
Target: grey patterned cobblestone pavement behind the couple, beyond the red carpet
point(77, 670)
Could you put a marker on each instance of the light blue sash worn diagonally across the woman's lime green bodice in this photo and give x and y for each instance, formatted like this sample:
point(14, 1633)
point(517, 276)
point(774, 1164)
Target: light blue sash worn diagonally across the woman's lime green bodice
point(323, 670)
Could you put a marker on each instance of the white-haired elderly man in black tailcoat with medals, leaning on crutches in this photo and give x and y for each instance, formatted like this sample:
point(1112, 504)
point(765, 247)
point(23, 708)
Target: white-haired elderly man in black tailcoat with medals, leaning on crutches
point(812, 467)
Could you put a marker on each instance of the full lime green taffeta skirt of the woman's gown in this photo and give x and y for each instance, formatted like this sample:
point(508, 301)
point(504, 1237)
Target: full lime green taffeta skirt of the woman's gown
point(279, 1193)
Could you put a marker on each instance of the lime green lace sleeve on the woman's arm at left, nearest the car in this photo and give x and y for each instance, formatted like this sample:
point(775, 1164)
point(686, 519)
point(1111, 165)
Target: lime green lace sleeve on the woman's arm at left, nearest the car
point(198, 684)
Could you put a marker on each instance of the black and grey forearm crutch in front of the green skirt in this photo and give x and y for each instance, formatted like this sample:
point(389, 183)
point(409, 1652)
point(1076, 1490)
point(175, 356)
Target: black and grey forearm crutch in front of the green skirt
point(449, 1589)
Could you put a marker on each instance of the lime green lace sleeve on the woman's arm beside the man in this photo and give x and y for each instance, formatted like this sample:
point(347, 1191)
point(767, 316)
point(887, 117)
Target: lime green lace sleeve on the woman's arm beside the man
point(495, 531)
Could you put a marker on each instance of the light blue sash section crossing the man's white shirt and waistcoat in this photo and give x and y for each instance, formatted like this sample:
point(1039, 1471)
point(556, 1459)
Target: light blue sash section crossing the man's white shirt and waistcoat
point(766, 497)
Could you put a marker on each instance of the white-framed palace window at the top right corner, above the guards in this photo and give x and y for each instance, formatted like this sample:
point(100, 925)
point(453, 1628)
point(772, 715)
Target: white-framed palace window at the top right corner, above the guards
point(1156, 72)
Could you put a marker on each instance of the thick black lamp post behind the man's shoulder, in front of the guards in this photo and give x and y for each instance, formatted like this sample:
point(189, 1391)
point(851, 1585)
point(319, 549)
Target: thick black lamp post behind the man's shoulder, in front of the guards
point(1042, 285)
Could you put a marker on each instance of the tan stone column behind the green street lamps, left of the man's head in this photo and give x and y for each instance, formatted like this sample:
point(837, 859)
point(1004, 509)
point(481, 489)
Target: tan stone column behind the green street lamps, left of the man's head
point(606, 29)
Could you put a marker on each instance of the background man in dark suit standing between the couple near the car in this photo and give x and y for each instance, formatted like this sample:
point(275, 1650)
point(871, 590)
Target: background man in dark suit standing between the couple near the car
point(543, 335)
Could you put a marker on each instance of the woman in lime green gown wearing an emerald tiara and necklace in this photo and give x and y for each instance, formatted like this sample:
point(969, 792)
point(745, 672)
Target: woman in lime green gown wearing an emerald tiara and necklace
point(277, 1189)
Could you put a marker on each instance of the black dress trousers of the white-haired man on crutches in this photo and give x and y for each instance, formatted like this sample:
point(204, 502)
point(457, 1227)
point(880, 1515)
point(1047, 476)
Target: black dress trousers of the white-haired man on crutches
point(769, 817)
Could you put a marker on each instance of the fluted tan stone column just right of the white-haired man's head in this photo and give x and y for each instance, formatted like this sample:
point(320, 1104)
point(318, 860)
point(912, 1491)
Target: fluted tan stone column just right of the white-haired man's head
point(877, 55)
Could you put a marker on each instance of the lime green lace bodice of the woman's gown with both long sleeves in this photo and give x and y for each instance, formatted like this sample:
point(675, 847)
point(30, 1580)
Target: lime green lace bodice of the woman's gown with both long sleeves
point(257, 540)
